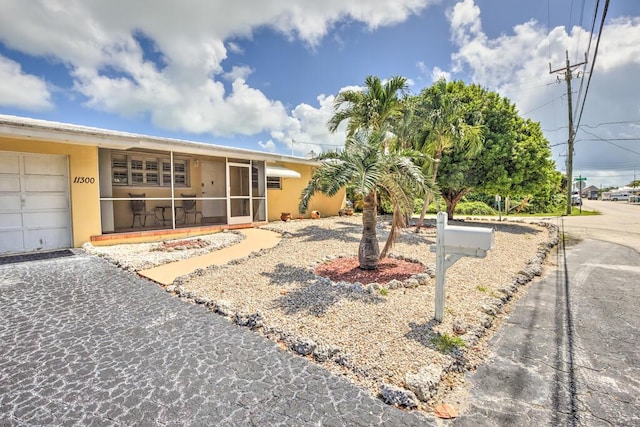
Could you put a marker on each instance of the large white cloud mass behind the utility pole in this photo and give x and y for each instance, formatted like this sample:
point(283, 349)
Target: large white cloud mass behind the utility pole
point(517, 66)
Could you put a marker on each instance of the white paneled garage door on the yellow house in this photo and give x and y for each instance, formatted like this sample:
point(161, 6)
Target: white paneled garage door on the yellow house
point(34, 202)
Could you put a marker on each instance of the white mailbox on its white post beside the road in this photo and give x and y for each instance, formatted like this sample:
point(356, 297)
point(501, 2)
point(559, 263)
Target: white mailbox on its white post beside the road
point(456, 242)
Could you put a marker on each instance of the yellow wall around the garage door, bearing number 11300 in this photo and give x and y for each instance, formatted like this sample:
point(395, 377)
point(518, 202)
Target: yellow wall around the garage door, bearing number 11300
point(84, 197)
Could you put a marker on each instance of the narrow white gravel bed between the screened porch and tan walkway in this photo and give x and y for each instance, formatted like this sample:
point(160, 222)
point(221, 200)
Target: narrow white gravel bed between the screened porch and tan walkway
point(141, 256)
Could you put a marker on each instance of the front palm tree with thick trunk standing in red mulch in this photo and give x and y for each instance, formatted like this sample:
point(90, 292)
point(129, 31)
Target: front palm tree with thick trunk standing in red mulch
point(365, 165)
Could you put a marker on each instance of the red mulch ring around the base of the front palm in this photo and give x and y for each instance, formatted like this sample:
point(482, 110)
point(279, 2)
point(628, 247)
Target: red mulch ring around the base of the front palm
point(348, 270)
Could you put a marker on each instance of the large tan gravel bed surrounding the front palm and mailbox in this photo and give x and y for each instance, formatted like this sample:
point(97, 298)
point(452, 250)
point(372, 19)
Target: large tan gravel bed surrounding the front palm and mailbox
point(371, 338)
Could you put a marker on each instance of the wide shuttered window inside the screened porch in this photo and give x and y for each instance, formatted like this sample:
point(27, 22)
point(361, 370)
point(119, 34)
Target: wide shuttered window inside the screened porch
point(142, 170)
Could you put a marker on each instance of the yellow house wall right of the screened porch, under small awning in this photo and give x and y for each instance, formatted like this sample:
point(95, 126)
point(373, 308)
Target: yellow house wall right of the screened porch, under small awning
point(287, 199)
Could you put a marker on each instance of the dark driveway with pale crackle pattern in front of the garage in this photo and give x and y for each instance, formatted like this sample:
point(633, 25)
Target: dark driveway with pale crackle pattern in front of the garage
point(82, 342)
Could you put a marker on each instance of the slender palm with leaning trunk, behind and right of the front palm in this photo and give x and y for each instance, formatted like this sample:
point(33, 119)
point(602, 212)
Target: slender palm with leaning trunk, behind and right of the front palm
point(445, 127)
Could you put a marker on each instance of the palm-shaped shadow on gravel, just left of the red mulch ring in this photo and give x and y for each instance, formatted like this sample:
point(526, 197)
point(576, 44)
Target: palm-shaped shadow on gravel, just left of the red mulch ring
point(314, 294)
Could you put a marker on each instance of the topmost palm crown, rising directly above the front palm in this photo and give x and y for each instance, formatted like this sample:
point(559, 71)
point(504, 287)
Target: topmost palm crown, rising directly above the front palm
point(373, 108)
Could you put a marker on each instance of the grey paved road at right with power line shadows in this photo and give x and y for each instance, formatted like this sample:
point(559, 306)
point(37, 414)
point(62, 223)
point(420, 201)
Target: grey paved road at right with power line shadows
point(568, 355)
